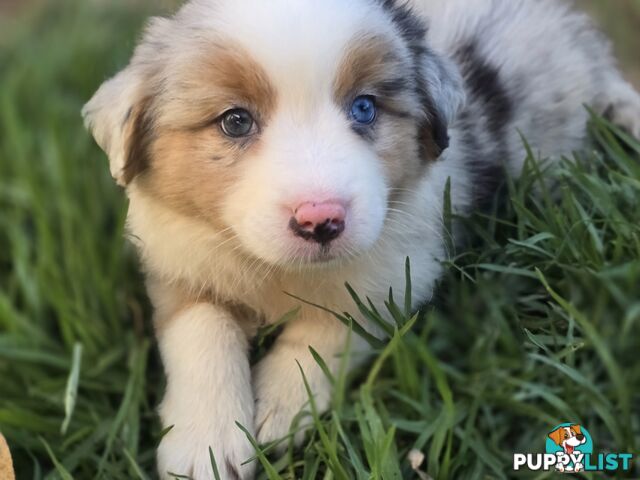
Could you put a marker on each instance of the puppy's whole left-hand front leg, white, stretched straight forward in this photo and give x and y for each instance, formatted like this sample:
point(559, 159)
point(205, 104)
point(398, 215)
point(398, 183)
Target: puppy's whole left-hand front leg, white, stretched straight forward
point(205, 355)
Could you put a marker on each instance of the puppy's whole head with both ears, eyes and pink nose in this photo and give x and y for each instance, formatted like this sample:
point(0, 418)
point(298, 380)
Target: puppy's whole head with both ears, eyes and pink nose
point(287, 125)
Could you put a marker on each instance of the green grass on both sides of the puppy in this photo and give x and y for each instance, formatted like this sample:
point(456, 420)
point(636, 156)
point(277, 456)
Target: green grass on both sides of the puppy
point(536, 323)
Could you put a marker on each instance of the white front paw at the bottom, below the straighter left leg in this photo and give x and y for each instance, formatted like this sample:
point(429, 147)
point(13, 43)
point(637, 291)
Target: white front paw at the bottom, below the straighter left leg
point(186, 452)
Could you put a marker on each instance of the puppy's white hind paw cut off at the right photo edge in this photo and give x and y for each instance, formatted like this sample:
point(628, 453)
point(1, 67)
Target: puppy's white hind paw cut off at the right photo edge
point(621, 104)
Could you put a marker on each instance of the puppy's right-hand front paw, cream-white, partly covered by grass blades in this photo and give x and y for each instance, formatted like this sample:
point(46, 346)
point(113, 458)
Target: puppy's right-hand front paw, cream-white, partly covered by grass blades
point(281, 395)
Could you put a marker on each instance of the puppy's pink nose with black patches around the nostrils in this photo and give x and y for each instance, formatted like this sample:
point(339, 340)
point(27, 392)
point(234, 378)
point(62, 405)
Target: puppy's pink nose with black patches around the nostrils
point(320, 222)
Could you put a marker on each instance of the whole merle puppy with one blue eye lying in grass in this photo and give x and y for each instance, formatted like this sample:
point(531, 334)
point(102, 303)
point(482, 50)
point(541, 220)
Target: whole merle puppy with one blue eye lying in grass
point(271, 146)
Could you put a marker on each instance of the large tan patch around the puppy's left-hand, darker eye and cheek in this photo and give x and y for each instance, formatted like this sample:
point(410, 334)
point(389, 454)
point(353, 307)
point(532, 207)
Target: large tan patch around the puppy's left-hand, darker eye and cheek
point(193, 163)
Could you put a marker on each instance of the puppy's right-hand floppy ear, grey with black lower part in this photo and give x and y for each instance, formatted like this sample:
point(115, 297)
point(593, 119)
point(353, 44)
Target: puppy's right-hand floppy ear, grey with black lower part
point(443, 98)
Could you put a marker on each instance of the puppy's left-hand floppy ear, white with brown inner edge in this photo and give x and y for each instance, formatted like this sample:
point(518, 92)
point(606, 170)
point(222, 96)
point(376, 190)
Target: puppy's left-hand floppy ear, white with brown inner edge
point(120, 120)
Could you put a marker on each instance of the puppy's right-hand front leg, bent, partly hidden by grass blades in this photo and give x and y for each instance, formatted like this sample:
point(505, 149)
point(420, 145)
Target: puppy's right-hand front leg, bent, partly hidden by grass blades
point(278, 385)
